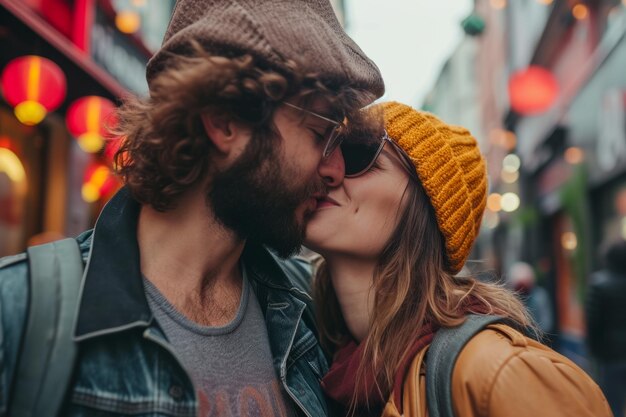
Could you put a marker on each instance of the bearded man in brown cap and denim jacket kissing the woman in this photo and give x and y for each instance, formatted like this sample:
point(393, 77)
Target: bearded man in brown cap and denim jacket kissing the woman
point(183, 311)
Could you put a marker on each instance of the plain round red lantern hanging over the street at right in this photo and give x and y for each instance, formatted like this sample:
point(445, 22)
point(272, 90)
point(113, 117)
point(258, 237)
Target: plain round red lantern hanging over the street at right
point(532, 90)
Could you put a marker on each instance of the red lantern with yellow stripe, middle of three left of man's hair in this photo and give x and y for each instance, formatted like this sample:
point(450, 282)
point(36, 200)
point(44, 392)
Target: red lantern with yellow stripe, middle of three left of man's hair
point(88, 119)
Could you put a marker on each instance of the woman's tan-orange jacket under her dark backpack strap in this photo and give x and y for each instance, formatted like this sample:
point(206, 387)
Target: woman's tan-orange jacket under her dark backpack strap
point(502, 373)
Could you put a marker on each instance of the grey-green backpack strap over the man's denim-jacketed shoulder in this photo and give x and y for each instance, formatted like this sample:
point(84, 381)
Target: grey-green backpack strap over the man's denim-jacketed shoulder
point(48, 350)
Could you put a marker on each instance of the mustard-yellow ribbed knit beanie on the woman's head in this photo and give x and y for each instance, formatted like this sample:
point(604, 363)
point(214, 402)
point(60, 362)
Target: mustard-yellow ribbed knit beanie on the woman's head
point(451, 169)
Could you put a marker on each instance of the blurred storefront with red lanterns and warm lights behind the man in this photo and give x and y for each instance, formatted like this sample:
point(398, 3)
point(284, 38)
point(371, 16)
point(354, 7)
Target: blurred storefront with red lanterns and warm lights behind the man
point(51, 185)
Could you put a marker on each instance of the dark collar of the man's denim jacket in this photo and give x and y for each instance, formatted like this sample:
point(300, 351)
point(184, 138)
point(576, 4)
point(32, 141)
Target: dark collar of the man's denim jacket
point(112, 295)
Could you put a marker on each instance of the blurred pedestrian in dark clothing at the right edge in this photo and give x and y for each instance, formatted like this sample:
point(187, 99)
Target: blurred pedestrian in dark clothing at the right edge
point(606, 325)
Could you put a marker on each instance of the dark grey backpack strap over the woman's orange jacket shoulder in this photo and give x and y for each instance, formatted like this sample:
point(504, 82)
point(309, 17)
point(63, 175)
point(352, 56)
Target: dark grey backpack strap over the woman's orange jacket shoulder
point(441, 358)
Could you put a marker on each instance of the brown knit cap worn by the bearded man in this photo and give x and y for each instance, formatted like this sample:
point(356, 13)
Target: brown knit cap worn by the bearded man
point(274, 31)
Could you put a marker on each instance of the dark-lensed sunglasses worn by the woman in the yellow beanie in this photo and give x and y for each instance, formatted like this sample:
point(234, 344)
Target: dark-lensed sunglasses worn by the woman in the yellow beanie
point(359, 154)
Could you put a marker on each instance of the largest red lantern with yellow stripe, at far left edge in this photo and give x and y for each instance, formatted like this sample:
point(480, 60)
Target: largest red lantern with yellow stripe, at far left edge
point(34, 86)
